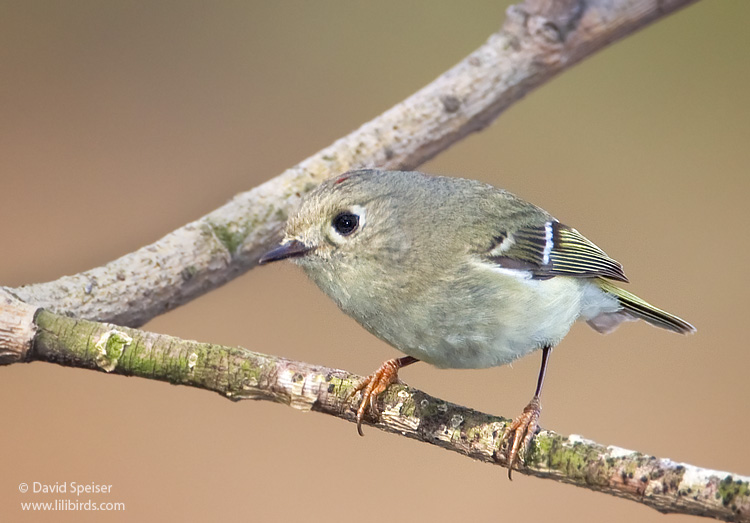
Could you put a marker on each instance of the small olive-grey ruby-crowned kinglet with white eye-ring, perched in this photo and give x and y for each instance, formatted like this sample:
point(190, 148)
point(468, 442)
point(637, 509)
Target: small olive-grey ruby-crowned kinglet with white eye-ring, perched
point(456, 273)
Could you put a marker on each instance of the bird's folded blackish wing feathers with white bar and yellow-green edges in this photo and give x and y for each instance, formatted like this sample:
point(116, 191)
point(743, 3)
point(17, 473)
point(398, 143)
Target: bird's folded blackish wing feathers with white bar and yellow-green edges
point(552, 249)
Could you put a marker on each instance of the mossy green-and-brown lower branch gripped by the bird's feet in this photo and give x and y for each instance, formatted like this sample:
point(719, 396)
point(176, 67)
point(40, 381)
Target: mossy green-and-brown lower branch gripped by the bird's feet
point(238, 374)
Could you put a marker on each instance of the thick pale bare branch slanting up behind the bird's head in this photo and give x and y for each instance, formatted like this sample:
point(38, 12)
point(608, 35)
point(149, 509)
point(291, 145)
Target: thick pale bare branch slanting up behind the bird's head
point(539, 39)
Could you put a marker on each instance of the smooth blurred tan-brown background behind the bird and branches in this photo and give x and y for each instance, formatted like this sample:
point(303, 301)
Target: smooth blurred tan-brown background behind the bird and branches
point(121, 121)
